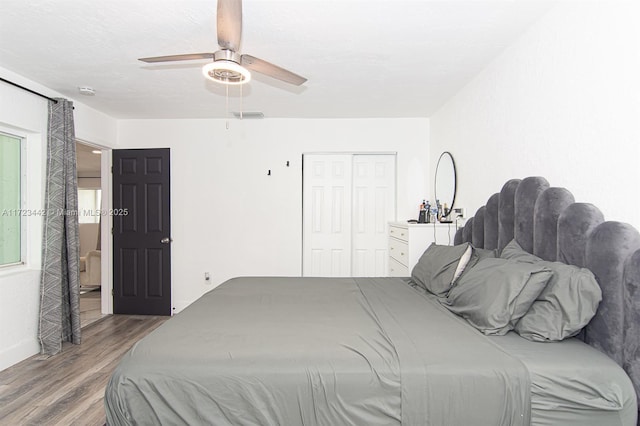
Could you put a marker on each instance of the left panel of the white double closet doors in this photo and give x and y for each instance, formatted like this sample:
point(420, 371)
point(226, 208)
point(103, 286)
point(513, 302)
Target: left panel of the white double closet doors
point(327, 215)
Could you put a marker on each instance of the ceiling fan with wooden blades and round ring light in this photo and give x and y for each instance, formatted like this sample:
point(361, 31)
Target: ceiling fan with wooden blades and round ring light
point(229, 66)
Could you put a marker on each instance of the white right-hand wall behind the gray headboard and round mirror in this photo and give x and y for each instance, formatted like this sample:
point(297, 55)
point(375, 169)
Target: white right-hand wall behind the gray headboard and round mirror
point(562, 102)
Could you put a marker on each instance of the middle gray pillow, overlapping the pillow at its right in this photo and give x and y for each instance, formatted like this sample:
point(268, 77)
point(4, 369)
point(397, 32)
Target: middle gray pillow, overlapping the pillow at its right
point(495, 293)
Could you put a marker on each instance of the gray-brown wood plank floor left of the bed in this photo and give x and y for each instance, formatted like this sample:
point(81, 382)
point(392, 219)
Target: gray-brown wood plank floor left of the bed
point(67, 389)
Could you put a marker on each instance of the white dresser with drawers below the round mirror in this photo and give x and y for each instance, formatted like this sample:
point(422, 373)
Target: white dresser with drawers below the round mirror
point(407, 242)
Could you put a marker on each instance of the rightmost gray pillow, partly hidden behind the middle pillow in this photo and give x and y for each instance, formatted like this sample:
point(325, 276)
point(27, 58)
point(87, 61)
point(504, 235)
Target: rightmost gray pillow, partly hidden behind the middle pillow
point(564, 307)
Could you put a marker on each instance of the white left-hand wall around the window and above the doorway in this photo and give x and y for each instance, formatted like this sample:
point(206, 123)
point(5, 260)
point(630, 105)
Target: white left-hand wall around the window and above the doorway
point(26, 114)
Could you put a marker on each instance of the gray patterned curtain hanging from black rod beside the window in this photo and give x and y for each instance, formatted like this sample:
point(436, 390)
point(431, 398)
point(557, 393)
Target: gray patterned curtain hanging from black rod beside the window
point(60, 281)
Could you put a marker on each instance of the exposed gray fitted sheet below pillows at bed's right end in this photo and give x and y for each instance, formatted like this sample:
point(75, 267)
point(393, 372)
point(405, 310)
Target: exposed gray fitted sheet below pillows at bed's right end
point(573, 384)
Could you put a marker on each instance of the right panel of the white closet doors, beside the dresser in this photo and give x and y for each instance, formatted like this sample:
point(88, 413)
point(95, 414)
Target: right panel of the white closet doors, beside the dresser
point(374, 182)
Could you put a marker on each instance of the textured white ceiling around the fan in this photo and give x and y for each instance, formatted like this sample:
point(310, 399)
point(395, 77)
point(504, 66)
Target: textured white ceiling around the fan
point(378, 58)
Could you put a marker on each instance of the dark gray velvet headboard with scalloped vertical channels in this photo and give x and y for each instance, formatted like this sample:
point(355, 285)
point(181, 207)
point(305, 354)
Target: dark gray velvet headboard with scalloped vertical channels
point(548, 223)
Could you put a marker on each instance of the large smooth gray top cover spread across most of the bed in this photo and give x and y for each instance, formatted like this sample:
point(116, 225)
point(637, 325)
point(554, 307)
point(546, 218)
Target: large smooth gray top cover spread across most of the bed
point(317, 351)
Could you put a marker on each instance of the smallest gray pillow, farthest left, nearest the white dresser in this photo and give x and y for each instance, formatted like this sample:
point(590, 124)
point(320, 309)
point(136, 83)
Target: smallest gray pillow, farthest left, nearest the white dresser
point(436, 269)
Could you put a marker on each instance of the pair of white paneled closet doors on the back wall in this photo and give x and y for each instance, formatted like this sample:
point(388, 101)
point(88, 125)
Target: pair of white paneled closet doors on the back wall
point(347, 201)
